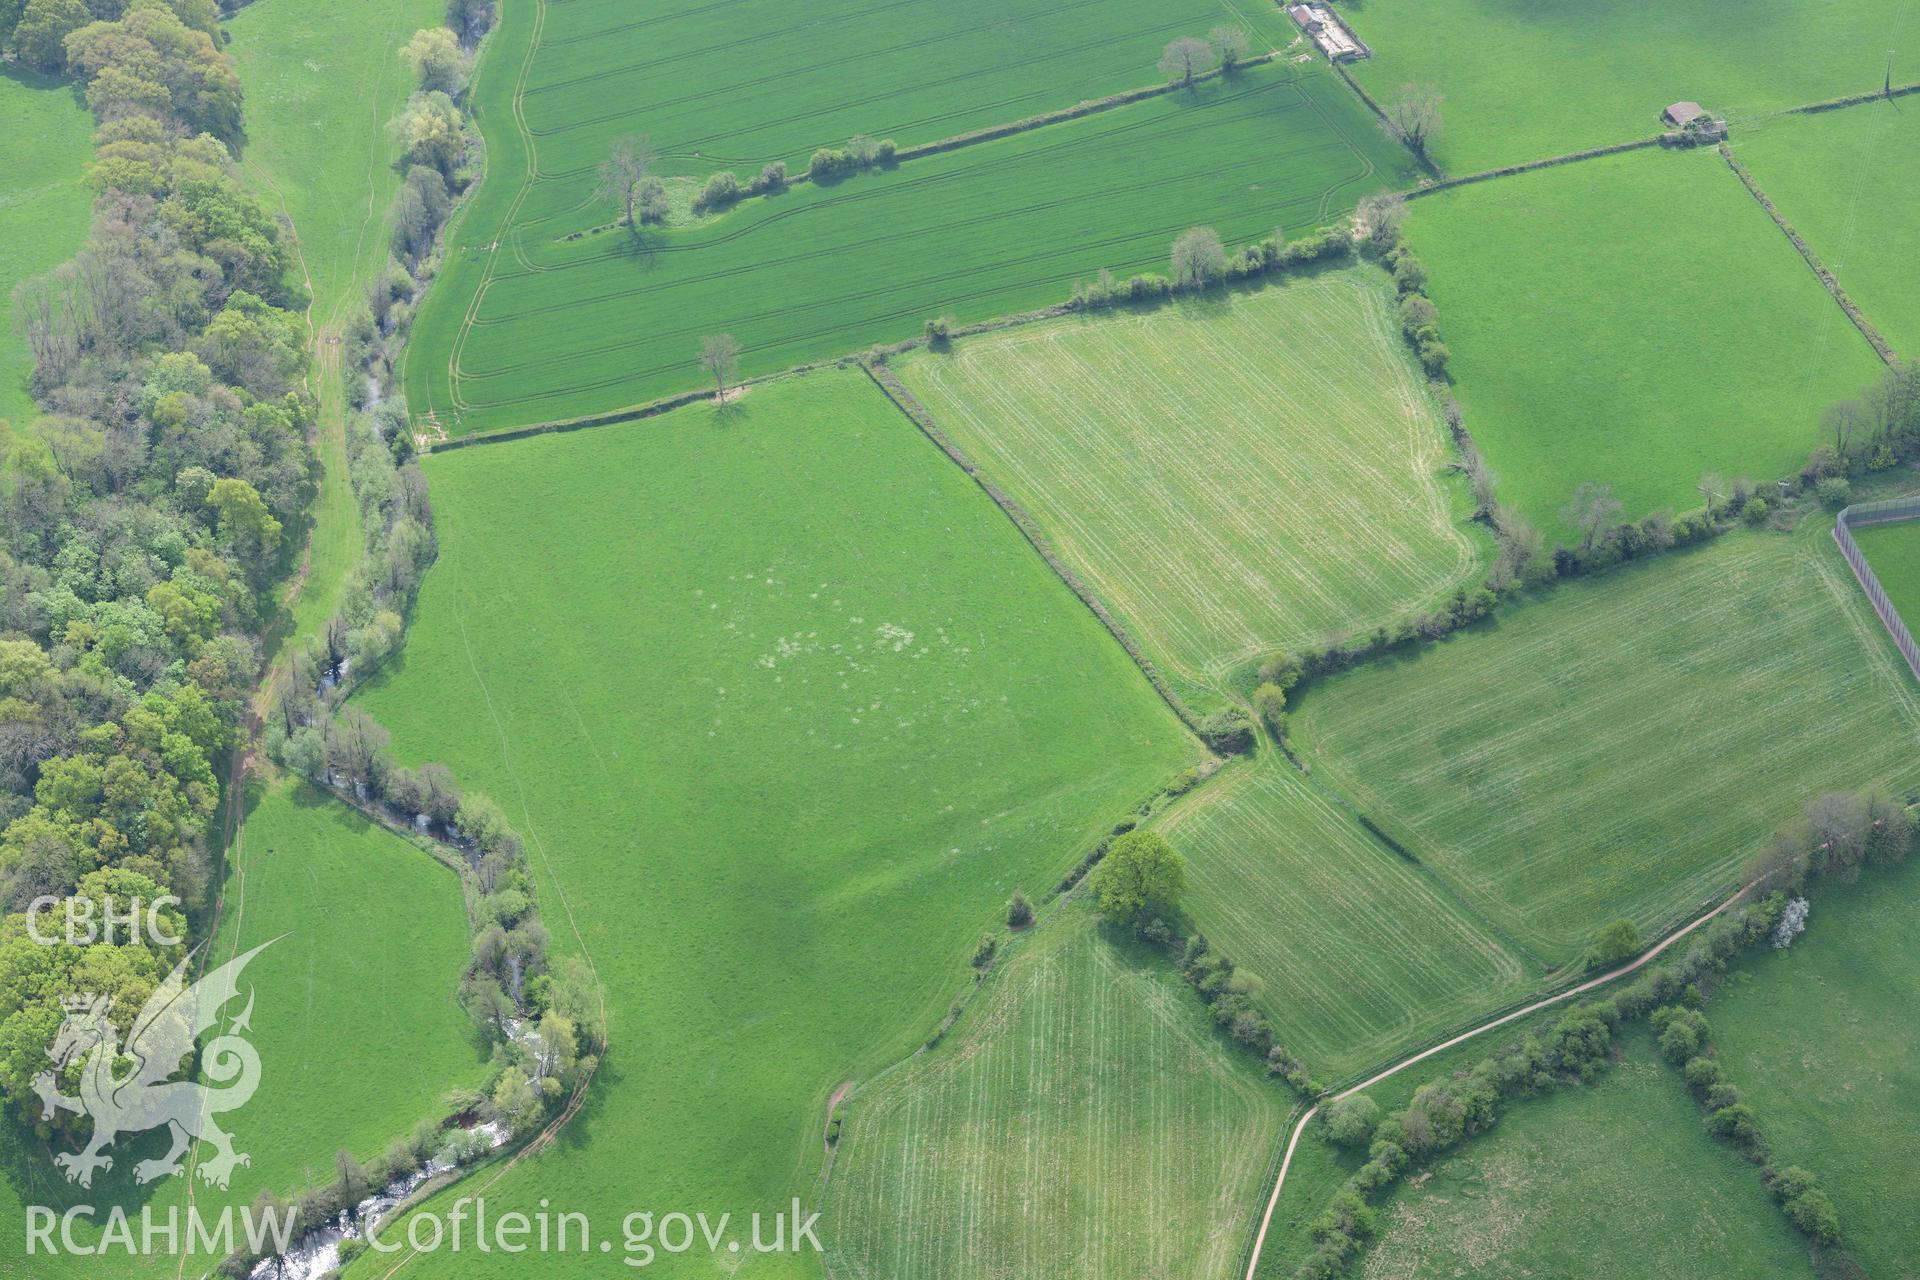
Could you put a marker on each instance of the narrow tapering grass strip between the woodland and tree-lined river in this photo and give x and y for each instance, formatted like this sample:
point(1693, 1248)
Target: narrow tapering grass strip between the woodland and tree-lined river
point(324, 82)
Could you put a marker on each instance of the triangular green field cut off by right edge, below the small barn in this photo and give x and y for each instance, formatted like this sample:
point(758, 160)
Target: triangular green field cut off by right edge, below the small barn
point(1846, 179)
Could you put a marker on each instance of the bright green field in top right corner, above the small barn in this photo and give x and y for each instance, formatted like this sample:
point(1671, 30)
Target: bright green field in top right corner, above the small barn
point(1525, 82)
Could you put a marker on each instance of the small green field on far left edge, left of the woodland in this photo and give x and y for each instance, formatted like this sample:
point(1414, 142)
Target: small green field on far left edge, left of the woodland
point(45, 210)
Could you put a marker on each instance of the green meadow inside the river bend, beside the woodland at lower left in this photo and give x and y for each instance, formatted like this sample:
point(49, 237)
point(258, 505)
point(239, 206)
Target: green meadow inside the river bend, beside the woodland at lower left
point(356, 1020)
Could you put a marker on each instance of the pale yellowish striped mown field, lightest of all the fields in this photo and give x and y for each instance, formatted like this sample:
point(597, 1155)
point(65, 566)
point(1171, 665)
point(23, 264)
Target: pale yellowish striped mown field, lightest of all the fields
point(1232, 477)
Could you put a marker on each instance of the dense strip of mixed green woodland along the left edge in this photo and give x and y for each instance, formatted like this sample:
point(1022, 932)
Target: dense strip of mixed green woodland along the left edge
point(145, 513)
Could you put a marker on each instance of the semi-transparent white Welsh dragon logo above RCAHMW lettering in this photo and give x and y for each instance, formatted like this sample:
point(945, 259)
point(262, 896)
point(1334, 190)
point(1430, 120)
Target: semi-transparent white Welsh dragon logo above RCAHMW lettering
point(143, 1097)
